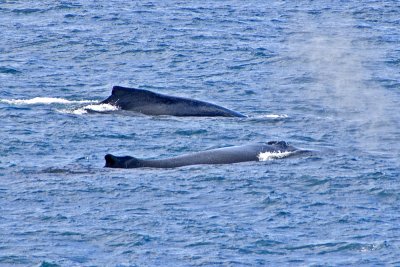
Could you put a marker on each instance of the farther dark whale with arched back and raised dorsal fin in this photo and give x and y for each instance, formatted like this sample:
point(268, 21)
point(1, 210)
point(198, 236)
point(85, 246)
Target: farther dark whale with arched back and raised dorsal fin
point(151, 103)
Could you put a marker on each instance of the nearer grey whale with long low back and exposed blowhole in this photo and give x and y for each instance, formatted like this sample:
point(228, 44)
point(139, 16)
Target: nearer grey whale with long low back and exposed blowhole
point(224, 155)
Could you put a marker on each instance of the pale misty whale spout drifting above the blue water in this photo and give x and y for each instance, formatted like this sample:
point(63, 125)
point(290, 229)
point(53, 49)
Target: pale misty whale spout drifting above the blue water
point(337, 57)
